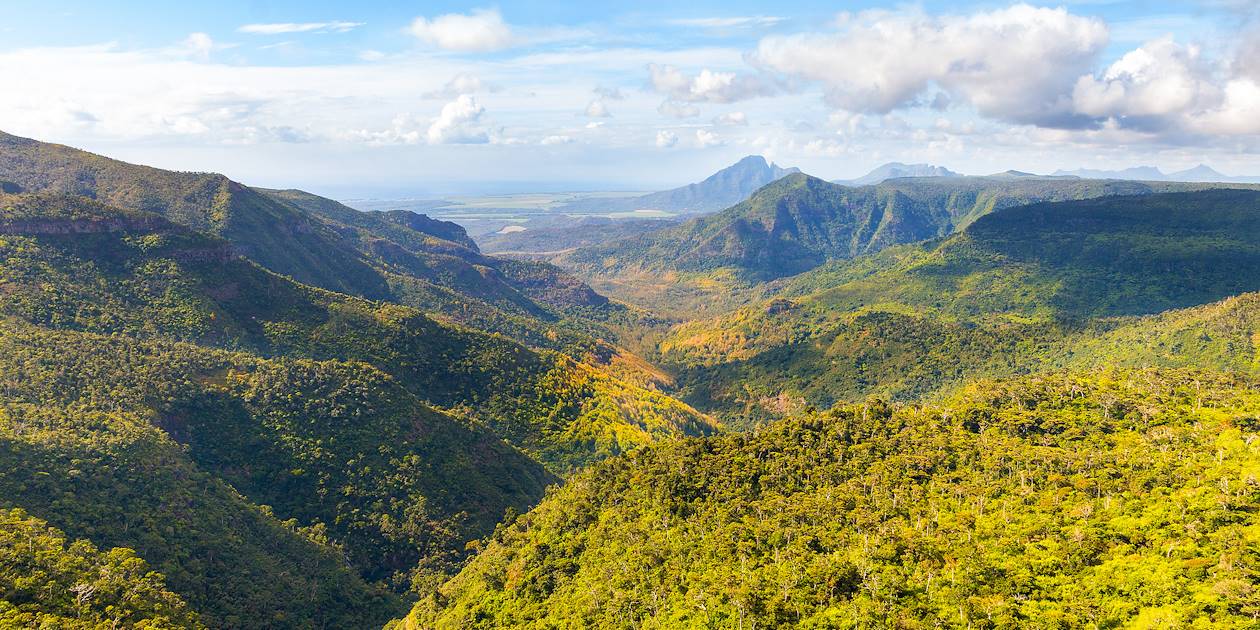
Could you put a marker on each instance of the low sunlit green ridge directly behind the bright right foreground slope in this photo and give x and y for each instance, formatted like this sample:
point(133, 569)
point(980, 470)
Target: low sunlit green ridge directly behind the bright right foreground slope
point(750, 377)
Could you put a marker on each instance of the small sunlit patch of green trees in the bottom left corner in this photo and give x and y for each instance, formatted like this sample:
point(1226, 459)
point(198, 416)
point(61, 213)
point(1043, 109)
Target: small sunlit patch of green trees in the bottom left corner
point(47, 581)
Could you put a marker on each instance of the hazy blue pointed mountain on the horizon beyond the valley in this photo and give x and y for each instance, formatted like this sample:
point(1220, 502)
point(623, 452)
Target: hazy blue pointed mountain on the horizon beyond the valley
point(718, 192)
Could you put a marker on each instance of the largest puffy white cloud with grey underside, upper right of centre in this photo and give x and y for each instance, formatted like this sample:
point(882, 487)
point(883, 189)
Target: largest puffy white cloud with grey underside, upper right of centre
point(1016, 65)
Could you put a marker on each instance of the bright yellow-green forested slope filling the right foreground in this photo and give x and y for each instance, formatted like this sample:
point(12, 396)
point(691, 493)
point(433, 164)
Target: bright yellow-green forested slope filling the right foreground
point(1059, 502)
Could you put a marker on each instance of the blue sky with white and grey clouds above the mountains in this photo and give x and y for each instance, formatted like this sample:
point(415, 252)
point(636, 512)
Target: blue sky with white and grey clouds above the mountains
point(376, 99)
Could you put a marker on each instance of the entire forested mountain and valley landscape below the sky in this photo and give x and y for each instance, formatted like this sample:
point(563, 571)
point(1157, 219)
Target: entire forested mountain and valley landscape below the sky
point(965, 403)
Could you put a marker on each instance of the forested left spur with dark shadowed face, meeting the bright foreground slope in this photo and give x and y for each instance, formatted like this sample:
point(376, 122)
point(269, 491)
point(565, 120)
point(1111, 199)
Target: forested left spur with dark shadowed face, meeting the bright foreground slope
point(338, 447)
